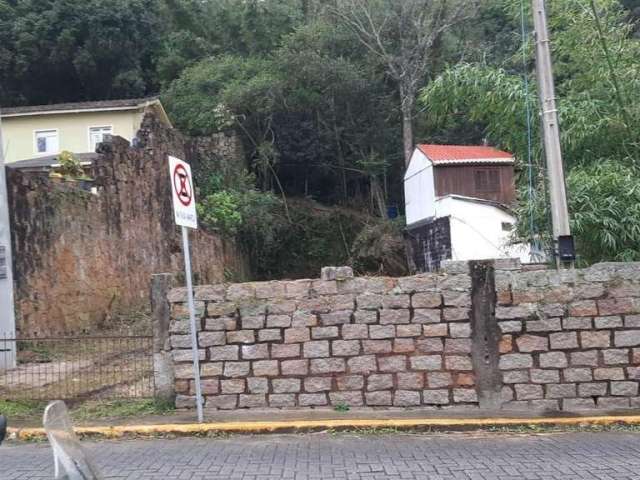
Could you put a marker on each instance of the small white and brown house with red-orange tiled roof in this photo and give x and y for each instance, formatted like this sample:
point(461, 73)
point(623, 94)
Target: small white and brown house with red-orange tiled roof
point(457, 201)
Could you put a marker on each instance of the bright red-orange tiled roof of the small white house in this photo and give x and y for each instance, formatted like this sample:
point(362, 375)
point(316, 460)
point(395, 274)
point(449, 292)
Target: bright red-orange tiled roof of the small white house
point(464, 154)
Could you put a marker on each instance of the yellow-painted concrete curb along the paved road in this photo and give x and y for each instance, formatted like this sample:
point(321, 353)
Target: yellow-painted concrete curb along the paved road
point(440, 424)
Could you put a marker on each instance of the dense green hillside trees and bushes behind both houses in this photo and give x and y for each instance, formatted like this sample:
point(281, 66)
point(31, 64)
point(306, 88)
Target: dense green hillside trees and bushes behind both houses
point(322, 99)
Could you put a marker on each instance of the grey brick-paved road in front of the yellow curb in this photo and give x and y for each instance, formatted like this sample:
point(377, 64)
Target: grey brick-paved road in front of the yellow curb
point(603, 456)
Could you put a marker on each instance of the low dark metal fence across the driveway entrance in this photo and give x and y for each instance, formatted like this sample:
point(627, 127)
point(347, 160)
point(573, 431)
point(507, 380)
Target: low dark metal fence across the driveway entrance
point(75, 368)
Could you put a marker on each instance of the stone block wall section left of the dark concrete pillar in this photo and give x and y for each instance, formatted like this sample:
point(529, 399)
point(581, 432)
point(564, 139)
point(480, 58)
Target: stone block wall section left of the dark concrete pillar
point(378, 342)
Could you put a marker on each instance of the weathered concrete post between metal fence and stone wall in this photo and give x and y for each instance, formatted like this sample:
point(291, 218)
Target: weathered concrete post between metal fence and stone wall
point(161, 317)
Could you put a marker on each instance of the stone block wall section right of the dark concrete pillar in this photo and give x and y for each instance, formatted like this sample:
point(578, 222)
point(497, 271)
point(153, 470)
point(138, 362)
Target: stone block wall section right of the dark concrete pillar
point(570, 340)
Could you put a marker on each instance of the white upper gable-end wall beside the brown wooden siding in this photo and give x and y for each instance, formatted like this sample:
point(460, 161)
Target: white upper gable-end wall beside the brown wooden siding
point(419, 189)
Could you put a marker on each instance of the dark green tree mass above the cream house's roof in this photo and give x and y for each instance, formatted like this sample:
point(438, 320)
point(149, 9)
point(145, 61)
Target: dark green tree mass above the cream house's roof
point(63, 50)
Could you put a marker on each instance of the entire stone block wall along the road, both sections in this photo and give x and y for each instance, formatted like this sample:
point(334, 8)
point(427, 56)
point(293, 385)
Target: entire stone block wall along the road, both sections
point(487, 334)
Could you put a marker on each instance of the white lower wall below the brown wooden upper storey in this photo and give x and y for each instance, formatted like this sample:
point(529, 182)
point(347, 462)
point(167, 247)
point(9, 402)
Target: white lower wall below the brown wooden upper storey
point(479, 230)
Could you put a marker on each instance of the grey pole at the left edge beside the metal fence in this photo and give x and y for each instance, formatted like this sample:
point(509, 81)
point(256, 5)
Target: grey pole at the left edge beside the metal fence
point(7, 313)
